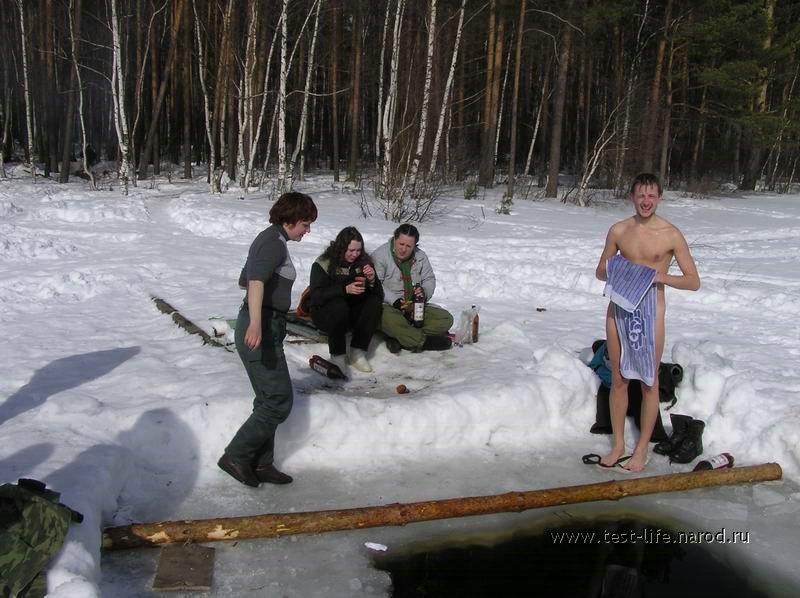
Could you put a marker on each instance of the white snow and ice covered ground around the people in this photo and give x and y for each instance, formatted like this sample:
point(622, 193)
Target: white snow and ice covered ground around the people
point(110, 403)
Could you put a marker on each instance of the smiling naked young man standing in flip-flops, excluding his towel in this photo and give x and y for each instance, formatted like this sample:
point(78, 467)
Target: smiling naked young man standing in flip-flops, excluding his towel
point(649, 240)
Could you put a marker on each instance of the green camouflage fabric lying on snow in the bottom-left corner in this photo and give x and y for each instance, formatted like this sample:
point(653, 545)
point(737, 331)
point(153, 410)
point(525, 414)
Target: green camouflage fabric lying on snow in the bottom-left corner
point(33, 525)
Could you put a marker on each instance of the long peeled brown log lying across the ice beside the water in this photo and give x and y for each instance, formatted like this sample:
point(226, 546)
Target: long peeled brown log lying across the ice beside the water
point(284, 524)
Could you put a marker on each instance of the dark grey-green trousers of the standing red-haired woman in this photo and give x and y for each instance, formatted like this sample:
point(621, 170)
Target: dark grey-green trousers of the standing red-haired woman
point(254, 443)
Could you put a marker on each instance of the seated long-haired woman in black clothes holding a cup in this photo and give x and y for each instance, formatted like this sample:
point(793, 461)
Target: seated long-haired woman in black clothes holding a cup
point(345, 294)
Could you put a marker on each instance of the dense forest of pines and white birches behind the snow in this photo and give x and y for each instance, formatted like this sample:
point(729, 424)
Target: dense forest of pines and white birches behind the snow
point(406, 94)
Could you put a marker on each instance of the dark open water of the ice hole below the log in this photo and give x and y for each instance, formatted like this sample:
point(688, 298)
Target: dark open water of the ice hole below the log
point(624, 559)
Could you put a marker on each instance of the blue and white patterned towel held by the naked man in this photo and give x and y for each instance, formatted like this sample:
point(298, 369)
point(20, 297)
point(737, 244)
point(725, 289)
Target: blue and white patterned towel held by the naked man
point(630, 288)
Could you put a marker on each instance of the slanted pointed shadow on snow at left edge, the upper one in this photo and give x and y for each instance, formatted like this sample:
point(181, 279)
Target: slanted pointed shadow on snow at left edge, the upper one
point(63, 374)
